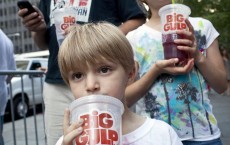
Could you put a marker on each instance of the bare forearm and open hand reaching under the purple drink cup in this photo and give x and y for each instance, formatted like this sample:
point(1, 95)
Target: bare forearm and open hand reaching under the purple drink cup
point(136, 90)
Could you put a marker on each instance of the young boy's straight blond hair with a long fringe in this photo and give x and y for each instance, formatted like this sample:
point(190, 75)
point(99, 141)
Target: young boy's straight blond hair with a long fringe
point(92, 43)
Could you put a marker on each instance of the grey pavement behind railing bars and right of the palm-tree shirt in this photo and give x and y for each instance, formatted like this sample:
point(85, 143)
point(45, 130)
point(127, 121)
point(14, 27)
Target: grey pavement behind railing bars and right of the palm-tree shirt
point(221, 109)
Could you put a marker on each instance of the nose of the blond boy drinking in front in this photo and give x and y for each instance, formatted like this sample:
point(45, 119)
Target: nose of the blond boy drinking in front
point(92, 85)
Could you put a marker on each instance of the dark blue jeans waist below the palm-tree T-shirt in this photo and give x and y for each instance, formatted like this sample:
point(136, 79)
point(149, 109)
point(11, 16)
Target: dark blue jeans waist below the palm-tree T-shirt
point(211, 142)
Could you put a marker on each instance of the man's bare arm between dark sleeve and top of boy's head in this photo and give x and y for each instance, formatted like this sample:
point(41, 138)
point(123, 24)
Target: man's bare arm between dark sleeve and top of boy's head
point(131, 25)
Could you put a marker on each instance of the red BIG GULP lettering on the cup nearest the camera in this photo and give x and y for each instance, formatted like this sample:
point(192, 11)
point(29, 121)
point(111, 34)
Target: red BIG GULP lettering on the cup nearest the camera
point(98, 129)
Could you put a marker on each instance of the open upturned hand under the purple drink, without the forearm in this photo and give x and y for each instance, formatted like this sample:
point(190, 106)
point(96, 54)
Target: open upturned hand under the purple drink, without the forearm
point(169, 67)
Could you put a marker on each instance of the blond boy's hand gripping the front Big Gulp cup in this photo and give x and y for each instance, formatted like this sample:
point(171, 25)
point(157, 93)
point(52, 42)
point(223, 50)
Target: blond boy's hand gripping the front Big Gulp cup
point(71, 131)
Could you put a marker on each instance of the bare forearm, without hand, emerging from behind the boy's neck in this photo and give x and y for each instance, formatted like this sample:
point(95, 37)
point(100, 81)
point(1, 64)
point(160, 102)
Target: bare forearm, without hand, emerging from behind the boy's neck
point(138, 89)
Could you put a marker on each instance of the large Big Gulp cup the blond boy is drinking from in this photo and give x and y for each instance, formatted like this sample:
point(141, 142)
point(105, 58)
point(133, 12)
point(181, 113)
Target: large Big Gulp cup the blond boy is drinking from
point(102, 117)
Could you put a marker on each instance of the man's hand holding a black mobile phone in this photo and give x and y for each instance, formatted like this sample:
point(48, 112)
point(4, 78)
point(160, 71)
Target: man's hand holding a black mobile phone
point(34, 21)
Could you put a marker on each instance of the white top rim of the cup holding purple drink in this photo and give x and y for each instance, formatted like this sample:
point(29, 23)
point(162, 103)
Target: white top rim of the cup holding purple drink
point(171, 6)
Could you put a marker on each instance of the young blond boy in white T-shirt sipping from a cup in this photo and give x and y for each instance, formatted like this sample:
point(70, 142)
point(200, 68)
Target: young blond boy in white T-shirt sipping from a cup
point(101, 62)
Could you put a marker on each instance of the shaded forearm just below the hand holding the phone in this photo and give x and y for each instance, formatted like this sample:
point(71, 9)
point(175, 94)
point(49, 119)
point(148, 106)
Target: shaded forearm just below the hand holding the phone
point(40, 39)
